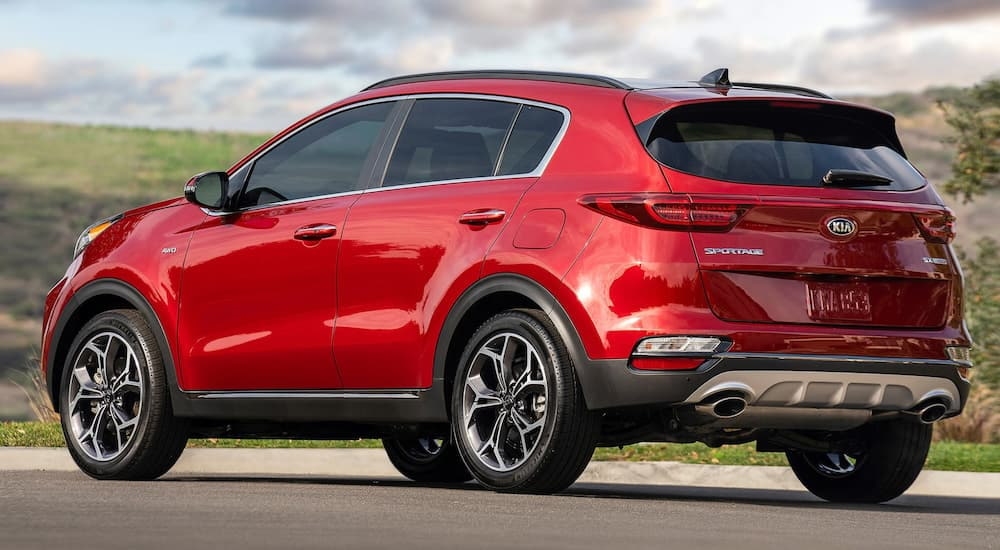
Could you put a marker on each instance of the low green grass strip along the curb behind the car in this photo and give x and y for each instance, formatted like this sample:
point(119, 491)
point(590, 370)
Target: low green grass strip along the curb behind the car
point(944, 455)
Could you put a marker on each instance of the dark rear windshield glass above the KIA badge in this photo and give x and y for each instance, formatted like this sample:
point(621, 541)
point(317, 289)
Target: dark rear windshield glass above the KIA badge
point(766, 143)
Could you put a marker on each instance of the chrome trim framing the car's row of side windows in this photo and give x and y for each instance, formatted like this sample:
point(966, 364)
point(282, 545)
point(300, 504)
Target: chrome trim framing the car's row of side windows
point(537, 172)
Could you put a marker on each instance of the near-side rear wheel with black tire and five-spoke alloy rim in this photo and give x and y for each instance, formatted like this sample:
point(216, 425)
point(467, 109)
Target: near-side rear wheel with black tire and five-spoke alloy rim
point(518, 414)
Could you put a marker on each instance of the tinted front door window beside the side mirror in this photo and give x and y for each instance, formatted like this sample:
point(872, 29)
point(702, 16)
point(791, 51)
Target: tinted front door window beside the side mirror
point(322, 159)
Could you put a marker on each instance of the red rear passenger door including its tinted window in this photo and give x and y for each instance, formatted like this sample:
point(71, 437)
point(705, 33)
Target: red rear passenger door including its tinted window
point(458, 170)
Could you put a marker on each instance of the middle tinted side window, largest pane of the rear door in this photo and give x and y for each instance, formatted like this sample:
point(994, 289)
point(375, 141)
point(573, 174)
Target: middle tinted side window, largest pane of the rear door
point(450, 139)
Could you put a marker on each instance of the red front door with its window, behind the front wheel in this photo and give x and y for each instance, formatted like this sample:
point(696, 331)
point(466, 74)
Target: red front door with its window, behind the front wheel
point(258, 294)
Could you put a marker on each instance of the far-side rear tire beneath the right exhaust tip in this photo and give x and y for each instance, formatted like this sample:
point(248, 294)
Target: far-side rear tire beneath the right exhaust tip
point(889, 459)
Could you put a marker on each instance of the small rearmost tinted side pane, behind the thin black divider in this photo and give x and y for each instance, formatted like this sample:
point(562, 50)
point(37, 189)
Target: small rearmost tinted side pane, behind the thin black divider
point(534, 131)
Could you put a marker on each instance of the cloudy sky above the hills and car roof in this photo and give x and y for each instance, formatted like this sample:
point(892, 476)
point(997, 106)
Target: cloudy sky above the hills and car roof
point(259, 65)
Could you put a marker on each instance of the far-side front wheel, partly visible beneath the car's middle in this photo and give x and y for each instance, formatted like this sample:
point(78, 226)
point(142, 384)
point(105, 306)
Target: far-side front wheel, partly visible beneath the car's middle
point(427, 459)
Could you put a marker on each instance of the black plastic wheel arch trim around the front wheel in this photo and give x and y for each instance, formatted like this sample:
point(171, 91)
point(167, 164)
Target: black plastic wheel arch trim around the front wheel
point(94, 298)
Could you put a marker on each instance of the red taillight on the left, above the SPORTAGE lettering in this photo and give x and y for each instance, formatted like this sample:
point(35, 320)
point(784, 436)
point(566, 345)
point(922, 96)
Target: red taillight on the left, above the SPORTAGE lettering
point(676, 212)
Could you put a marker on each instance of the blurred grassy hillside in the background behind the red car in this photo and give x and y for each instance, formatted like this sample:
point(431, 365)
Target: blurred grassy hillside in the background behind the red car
point(56, 179)
